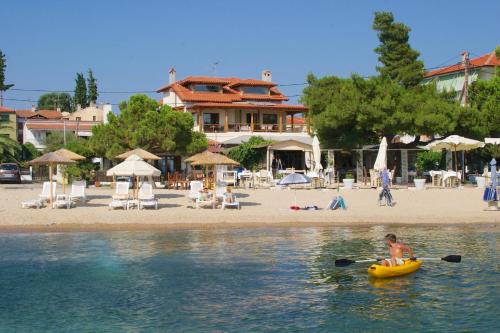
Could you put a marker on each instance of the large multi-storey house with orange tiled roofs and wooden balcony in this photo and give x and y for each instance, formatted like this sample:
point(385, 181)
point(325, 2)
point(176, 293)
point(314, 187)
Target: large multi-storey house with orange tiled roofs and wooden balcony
point(232, 110)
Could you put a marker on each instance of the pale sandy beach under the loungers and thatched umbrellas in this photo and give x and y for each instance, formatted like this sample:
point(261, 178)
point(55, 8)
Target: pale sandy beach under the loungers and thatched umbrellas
point(259, 208)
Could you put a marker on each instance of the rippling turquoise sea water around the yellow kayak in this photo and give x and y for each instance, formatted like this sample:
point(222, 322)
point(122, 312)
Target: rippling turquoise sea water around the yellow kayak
point(246, 280)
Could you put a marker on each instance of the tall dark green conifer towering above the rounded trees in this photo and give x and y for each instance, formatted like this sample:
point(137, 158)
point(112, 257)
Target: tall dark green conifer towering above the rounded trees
point(400, 62)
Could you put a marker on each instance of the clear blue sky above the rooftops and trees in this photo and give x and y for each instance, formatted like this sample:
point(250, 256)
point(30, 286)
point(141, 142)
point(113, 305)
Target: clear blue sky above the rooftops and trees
point(130, 45)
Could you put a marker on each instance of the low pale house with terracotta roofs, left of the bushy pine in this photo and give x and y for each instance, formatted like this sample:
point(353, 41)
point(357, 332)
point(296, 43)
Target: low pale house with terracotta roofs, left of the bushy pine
point(35, 125)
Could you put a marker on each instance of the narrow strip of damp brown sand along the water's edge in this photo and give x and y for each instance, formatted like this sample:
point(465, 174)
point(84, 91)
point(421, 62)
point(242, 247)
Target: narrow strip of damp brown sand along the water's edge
point(134, 227)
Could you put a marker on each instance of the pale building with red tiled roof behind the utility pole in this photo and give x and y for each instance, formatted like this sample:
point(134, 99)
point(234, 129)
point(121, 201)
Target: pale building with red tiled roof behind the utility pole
point(452, 78)
